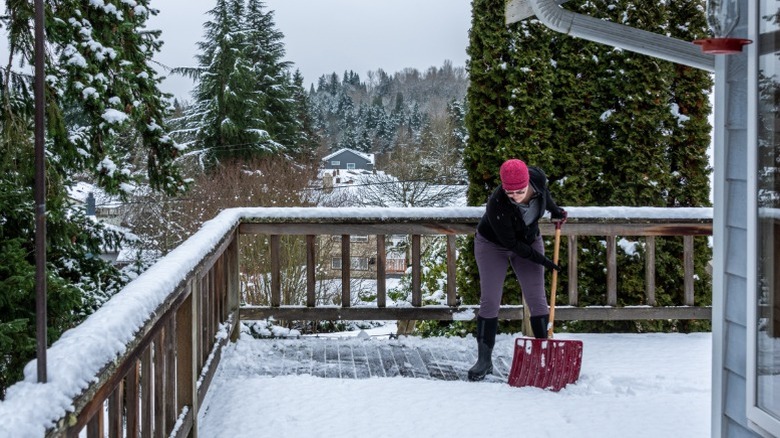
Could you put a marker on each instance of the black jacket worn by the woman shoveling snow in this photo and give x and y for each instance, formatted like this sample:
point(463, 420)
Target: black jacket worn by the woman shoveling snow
point(503, 223)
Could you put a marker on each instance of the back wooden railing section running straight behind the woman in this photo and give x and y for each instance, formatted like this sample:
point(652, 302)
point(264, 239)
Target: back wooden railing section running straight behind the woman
point(646, 223)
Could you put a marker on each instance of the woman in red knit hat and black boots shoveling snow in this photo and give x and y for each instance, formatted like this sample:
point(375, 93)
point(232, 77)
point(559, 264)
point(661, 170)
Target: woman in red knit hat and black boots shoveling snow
point(508, 233)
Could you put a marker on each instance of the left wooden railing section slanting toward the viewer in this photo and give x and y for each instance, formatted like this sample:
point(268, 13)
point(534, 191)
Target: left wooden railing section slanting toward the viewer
point(154, 388)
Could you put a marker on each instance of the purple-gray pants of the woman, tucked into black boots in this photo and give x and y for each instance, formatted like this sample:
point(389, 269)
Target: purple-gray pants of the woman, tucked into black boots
point(492, 260)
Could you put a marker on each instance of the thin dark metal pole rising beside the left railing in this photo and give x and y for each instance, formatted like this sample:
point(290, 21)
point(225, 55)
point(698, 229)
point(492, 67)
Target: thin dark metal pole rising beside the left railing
point(40, 195)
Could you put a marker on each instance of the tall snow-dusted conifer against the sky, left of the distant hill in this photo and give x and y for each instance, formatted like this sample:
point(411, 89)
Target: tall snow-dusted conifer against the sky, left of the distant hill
point(246, 100)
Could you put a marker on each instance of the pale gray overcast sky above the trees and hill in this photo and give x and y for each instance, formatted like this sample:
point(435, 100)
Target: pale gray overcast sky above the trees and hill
point(323, 36)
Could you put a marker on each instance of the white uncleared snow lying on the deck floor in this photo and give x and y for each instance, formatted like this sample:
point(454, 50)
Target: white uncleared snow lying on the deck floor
point(631, 385)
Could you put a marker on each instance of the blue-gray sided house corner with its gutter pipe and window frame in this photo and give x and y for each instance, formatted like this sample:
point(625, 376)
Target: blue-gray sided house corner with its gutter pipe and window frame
point(746, 222)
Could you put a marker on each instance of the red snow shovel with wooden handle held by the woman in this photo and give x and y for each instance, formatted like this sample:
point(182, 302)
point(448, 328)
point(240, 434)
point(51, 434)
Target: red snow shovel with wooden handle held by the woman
point(547, 363)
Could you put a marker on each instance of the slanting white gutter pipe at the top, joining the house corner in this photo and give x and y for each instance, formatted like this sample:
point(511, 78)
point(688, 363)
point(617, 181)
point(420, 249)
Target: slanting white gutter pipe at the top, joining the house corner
point(613, 34)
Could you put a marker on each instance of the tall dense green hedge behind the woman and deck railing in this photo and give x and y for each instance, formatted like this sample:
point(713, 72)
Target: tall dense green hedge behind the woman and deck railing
point(608, 126)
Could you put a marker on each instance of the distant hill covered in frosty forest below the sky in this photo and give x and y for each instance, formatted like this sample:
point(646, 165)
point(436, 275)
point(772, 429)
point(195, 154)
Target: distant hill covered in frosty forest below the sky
point(382, 112)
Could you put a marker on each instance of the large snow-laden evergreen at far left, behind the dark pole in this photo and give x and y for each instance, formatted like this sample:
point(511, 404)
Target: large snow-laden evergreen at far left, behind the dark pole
point(102, 98)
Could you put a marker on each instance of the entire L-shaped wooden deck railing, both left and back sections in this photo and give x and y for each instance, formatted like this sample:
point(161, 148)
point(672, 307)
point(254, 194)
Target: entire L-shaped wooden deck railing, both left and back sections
point(154, 385)
